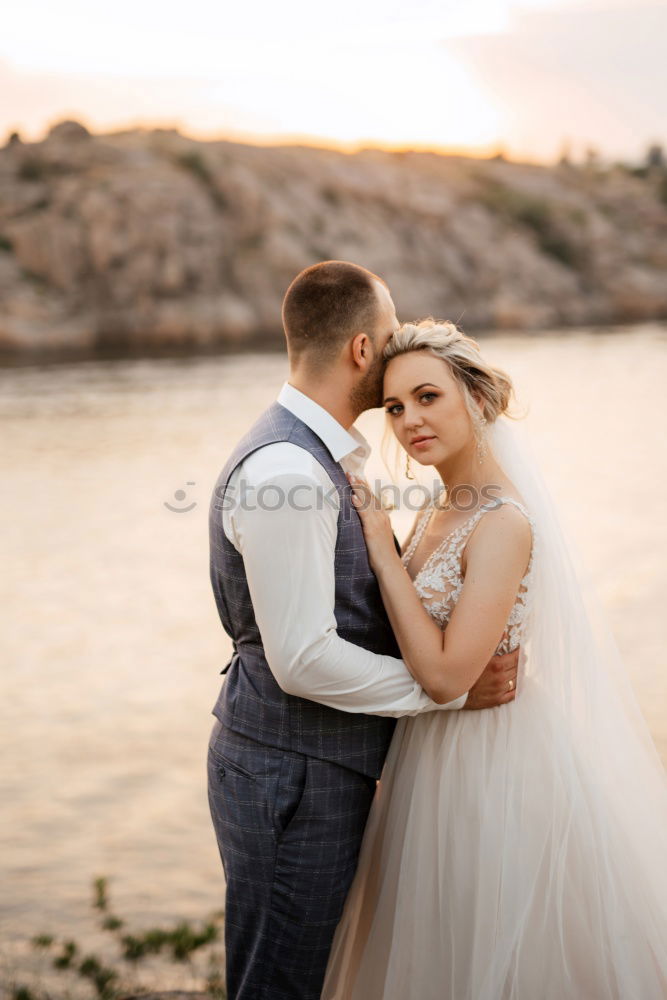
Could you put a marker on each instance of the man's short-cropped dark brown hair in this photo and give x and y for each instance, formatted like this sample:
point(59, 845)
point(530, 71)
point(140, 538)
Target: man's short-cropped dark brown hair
point(325, 306)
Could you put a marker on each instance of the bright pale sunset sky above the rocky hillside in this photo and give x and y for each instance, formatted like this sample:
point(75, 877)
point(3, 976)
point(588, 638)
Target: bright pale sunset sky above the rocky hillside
point(528, 77)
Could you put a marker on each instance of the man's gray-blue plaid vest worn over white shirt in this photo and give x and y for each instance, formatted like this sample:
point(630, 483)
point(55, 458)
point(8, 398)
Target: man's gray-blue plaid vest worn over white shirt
point(250, 701)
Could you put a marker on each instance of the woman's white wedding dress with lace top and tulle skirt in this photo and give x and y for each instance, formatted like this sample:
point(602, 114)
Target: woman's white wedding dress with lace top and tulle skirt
point(492, 866)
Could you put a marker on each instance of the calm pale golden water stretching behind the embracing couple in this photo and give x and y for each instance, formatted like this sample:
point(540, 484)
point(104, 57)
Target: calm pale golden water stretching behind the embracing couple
point(111, 642)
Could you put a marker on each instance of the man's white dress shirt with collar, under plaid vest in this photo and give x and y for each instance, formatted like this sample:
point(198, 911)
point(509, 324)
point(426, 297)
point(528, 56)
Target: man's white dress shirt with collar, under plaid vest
point(288, 552)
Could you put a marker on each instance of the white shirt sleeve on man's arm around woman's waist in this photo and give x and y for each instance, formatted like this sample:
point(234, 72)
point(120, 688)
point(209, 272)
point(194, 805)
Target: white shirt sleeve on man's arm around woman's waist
point(287, 538)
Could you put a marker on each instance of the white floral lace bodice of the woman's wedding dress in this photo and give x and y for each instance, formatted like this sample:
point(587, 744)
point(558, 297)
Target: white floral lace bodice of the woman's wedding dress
point(440, 581)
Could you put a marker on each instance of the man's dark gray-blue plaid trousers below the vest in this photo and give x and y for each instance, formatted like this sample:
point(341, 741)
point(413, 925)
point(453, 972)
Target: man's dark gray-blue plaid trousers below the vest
point(289, 827)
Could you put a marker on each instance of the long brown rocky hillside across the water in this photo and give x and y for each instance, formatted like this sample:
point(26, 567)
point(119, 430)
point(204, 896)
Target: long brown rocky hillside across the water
point(145, 239)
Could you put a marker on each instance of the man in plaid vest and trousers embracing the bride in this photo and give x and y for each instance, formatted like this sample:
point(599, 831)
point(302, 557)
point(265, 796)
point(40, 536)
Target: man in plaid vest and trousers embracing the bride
point(306, 713)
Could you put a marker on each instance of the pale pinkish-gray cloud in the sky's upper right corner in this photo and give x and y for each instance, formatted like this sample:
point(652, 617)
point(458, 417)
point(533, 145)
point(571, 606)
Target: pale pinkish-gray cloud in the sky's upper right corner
point(594, 75)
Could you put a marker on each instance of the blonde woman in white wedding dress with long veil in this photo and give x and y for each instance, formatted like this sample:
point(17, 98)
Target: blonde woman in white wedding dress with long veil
point(520, 852)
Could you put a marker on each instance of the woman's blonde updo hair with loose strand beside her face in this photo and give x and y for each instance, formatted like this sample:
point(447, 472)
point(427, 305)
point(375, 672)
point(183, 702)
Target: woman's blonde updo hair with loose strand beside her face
point(478, 379)
